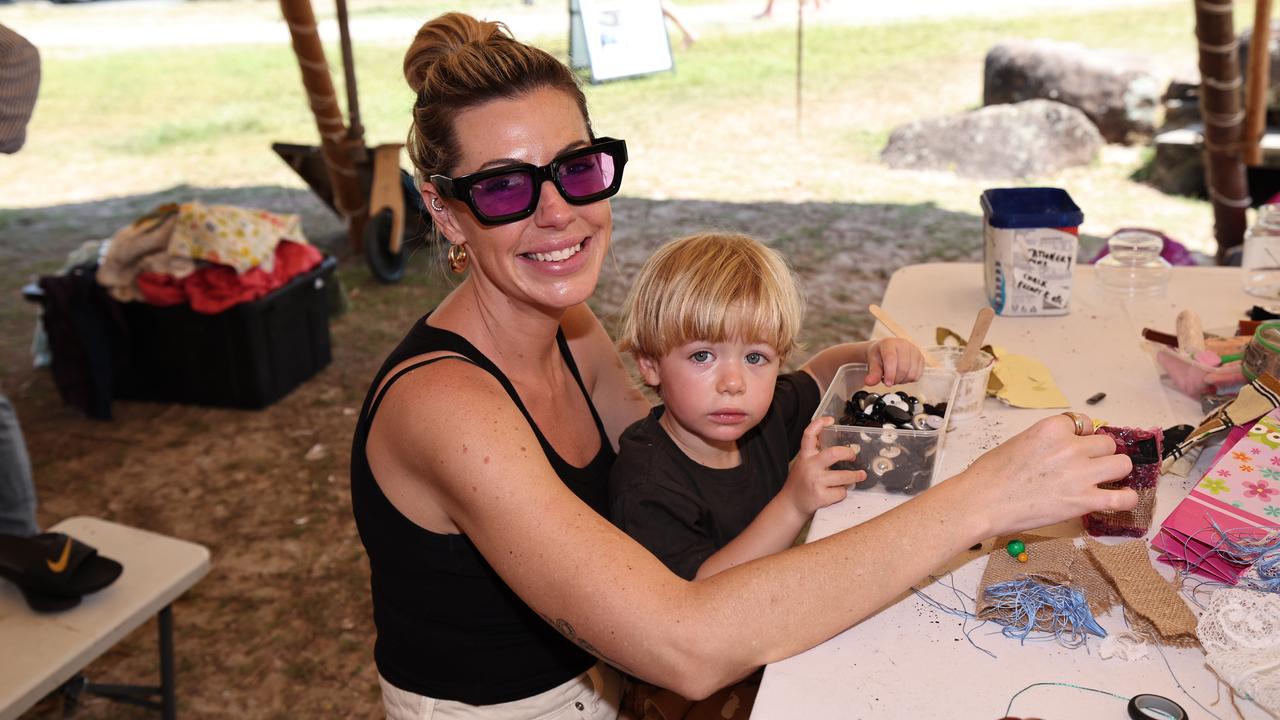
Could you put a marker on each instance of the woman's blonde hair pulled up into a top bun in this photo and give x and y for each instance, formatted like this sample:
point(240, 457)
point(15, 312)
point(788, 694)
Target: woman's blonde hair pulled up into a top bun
point(458, 62)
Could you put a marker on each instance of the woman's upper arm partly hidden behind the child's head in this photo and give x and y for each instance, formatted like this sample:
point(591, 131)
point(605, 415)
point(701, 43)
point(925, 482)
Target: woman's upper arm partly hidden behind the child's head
point(616, 398)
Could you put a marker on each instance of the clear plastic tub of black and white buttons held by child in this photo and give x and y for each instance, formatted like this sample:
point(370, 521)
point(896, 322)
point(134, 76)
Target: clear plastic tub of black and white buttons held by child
point(912, 454)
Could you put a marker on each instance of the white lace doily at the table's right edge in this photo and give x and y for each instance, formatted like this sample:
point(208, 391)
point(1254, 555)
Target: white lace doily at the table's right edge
point(1241, 634)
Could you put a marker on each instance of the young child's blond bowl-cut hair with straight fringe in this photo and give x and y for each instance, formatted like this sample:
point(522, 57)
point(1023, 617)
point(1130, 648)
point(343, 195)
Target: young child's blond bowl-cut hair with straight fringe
point(712, 288)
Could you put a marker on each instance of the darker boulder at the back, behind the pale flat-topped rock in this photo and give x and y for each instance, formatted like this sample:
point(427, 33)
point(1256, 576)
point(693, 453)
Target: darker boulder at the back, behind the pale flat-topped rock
point(1114, 90)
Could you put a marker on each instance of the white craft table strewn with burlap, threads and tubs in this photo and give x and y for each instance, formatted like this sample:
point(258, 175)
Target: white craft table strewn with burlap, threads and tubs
point(911, 660)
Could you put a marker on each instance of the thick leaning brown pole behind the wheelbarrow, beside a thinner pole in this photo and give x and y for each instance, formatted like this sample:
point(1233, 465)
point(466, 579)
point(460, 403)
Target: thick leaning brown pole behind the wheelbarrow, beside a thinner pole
point(335, 145)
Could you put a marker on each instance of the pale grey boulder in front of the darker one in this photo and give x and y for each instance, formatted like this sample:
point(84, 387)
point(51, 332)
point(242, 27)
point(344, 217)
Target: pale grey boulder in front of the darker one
point(1032, 139)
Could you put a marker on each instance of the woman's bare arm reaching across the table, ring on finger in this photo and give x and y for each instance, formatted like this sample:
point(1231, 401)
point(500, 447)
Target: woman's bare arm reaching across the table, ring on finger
point(449, 432)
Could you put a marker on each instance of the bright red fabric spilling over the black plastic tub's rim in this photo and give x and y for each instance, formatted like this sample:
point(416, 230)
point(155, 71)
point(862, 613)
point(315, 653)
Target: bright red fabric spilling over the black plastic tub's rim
point(214, 289)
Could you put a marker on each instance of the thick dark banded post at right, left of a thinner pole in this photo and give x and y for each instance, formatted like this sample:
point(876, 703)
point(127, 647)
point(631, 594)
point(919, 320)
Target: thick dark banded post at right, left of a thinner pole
point(1224, 121)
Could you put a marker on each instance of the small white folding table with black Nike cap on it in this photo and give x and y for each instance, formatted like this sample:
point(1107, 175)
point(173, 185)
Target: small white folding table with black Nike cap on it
point(40, 653)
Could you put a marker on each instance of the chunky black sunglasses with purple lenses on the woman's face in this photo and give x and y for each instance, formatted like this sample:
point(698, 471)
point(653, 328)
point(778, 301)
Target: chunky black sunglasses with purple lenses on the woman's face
point(510, 193)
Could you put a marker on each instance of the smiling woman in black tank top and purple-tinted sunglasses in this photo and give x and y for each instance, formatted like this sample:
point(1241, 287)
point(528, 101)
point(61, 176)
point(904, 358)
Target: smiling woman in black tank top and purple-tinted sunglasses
point(481, 459)
